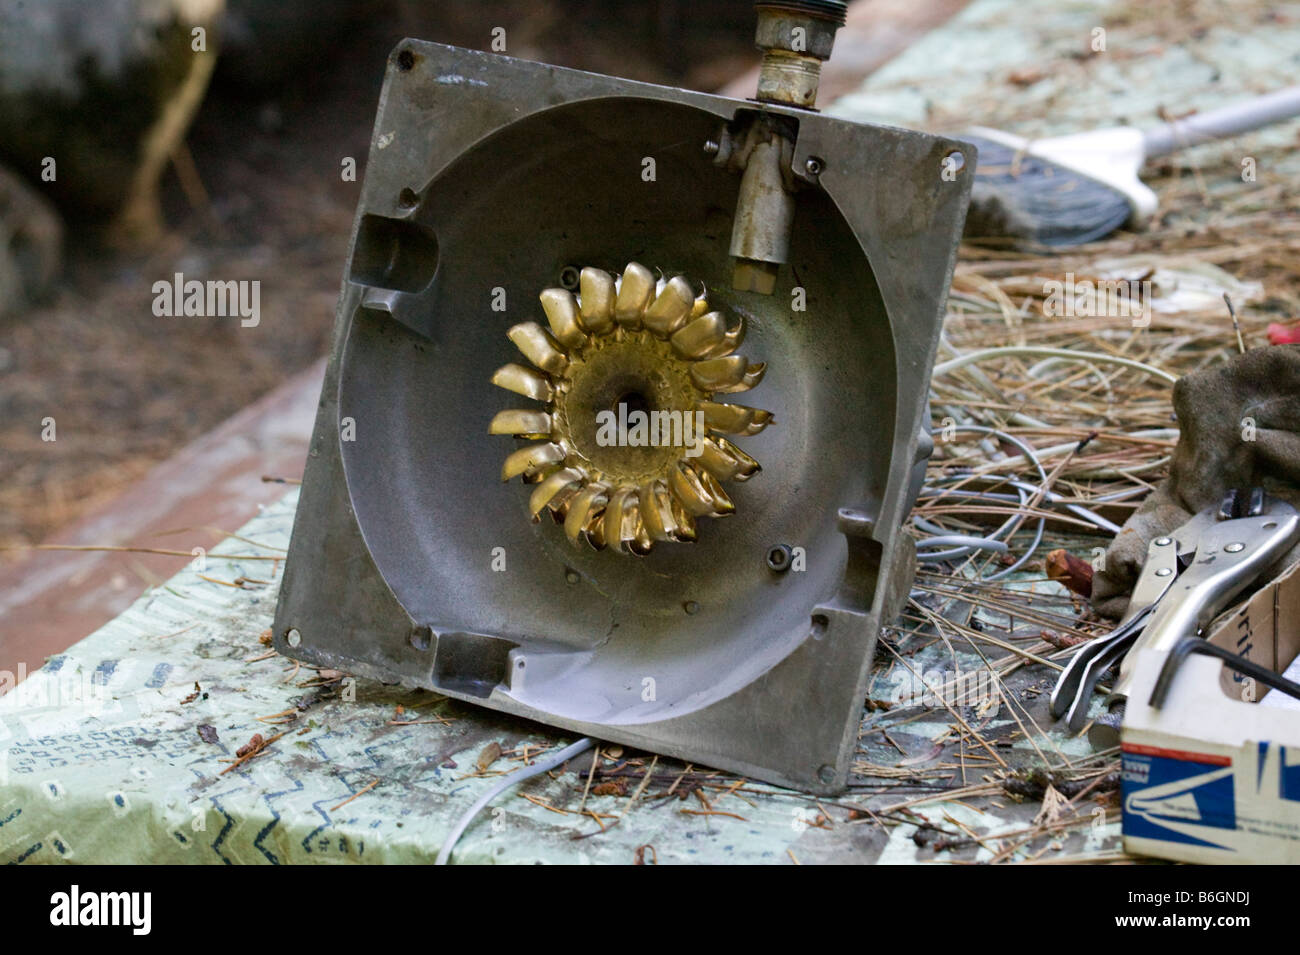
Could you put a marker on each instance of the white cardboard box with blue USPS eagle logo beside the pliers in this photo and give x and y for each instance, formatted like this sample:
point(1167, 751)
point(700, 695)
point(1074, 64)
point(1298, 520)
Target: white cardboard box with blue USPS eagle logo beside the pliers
point(1215, 776)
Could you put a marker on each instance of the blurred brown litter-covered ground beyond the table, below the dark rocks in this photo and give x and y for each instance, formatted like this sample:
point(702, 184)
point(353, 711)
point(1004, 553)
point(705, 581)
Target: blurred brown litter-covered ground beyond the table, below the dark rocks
point(125, 388)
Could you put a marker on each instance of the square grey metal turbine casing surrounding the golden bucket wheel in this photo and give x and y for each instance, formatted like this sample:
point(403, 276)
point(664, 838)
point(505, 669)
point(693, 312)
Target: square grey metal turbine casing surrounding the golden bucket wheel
point(410, 557)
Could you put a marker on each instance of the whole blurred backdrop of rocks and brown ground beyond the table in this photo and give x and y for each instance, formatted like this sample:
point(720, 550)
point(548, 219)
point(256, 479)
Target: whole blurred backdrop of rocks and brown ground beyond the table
point(220, 164)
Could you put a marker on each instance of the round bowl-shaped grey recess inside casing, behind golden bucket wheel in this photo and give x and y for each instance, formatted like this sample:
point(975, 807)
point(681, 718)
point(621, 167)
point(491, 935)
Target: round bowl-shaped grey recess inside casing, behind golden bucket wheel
point(700, 620)
